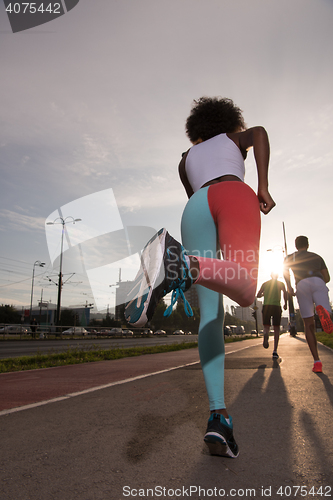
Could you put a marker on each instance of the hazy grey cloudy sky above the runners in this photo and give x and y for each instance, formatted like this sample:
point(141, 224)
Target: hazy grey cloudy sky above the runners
point(92, 126)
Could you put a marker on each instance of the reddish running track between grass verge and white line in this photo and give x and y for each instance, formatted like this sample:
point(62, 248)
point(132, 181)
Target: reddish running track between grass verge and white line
point(22, 388)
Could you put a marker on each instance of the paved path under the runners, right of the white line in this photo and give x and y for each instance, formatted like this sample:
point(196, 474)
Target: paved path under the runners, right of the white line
point(144, 438)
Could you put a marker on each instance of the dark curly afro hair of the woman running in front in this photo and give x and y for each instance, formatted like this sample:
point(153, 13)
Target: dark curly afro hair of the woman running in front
point(212, 116)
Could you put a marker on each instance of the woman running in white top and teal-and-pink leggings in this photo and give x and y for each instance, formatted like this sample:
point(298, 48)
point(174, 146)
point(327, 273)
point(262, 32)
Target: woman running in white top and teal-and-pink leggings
point(222, 216)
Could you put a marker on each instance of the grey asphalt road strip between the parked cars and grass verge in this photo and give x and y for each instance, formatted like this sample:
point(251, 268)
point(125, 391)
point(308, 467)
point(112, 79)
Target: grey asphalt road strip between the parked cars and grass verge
point(16, 348)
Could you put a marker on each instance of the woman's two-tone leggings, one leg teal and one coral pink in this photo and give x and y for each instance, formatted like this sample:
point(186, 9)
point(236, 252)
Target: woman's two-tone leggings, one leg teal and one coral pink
point(222, 216)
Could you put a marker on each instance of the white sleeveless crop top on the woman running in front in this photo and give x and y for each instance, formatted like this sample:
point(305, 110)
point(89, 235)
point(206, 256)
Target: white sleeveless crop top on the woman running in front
point(213, 158)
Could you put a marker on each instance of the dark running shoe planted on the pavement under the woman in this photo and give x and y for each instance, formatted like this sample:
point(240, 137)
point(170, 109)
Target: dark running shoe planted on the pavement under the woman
point(219, 437)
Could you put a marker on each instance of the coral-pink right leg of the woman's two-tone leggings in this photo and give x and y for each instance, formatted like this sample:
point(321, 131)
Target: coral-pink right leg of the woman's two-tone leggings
point(235, 210)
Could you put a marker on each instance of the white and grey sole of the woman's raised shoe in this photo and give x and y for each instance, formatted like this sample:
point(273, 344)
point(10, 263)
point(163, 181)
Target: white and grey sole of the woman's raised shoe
point(146, 280)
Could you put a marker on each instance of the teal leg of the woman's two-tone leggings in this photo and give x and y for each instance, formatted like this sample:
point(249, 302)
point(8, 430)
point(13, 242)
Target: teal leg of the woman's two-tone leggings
point(199, 237)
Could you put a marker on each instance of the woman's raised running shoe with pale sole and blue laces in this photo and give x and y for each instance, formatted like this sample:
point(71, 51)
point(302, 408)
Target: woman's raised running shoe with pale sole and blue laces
point(163, 269)
